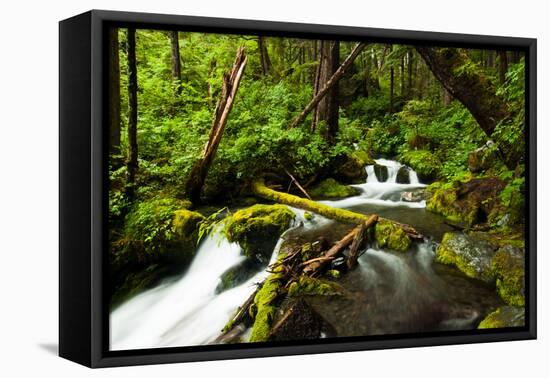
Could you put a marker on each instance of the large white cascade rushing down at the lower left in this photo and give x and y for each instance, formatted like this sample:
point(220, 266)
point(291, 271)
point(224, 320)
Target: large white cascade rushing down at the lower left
point(187, 311)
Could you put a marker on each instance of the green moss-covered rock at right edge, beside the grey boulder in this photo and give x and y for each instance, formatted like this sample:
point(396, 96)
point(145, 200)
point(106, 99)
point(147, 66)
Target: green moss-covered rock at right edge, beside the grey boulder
point(509, 269)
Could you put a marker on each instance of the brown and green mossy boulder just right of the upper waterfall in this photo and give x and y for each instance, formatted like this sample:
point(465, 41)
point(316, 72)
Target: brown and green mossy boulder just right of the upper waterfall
point(466, 203)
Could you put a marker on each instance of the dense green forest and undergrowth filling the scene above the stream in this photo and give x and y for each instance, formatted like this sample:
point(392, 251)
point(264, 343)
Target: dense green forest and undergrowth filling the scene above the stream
point(307, 117)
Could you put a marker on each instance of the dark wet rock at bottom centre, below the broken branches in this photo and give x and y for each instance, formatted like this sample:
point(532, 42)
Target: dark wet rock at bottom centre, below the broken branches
point(298, 322)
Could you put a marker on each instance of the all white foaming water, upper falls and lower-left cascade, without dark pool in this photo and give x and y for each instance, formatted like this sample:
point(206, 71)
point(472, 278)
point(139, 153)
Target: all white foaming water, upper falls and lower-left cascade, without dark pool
point(188, 311)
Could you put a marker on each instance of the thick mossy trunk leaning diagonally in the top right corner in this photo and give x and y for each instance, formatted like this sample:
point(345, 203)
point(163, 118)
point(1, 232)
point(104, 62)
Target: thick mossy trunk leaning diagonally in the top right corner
point(471, 87)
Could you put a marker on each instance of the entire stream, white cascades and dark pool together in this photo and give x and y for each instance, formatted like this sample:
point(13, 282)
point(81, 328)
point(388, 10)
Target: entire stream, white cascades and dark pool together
point(390, 292)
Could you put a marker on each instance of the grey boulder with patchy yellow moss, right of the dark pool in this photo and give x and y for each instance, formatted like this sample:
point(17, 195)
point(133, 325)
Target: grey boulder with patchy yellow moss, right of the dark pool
point(469, 253)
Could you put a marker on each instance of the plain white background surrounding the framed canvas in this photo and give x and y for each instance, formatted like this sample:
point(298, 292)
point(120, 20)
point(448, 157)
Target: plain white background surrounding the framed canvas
point(28, 186)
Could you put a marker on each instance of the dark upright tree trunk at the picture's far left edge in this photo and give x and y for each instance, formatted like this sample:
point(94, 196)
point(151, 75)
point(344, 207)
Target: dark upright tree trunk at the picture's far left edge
point(114, 93)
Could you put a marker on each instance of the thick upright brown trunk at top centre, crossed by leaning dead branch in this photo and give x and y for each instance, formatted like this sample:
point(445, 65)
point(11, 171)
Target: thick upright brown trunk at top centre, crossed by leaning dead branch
point(327, 109)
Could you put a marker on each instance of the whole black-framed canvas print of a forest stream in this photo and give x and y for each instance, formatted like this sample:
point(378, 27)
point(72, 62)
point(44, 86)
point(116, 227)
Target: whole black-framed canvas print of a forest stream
point(235, 188)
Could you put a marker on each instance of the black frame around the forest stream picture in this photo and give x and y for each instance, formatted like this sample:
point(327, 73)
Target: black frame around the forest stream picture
point(83, 191)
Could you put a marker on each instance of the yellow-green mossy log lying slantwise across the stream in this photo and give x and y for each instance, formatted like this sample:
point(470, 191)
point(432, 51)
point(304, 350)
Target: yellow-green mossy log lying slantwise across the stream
point(261, 190)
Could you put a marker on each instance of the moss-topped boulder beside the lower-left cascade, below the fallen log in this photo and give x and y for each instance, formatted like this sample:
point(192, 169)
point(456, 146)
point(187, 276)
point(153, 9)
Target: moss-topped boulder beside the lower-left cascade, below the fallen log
point(258, 228)
